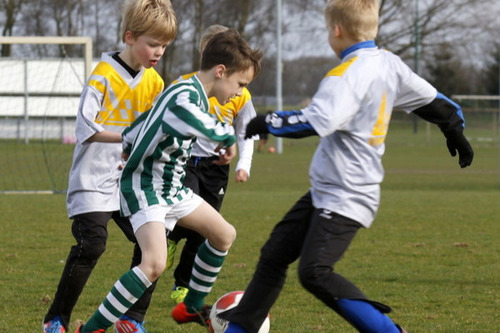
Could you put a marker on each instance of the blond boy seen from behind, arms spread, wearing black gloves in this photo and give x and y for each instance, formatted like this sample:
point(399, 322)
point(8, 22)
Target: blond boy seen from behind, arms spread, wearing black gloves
point(351, 113)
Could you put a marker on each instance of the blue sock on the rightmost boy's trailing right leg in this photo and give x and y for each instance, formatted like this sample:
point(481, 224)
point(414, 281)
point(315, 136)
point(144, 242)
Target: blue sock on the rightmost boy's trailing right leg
point(365, 317)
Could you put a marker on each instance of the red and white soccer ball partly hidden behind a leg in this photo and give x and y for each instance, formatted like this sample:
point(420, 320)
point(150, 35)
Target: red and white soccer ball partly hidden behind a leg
point(227, 302)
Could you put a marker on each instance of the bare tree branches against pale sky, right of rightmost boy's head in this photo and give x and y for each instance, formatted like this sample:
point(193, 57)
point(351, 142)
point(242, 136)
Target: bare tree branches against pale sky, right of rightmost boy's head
point(424, 25)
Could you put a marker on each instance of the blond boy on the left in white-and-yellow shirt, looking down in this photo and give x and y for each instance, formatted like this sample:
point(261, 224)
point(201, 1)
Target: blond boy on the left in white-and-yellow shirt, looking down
point(122, 86)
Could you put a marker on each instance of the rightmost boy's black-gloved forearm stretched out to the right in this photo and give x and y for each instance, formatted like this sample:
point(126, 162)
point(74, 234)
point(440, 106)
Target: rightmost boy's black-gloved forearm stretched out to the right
point(449, 117)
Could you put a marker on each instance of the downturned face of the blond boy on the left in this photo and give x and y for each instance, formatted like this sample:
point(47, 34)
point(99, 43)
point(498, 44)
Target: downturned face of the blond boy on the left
point(146, 51)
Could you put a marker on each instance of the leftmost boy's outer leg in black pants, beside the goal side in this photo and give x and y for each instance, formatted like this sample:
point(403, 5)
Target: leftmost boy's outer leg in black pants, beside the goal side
point(90, 232)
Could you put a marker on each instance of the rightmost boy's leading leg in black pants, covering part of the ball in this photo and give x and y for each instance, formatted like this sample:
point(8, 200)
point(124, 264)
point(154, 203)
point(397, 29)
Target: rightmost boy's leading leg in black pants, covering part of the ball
point(282, 248)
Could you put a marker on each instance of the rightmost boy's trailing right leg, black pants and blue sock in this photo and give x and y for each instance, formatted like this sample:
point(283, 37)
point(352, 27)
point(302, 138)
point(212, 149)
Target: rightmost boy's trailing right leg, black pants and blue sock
point(329, 237)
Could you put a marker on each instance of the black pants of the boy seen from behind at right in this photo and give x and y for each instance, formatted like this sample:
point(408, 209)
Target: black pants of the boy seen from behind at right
point(319, 238)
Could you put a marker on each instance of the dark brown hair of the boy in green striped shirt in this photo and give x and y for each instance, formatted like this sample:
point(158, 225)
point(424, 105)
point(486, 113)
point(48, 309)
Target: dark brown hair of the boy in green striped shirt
point(231, 50)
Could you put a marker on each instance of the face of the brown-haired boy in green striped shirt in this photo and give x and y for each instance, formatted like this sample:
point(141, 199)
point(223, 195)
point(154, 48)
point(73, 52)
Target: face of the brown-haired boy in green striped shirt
point(229, 86)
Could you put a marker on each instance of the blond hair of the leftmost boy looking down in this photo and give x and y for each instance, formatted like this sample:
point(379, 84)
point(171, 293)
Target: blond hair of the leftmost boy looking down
point(155, 18)
